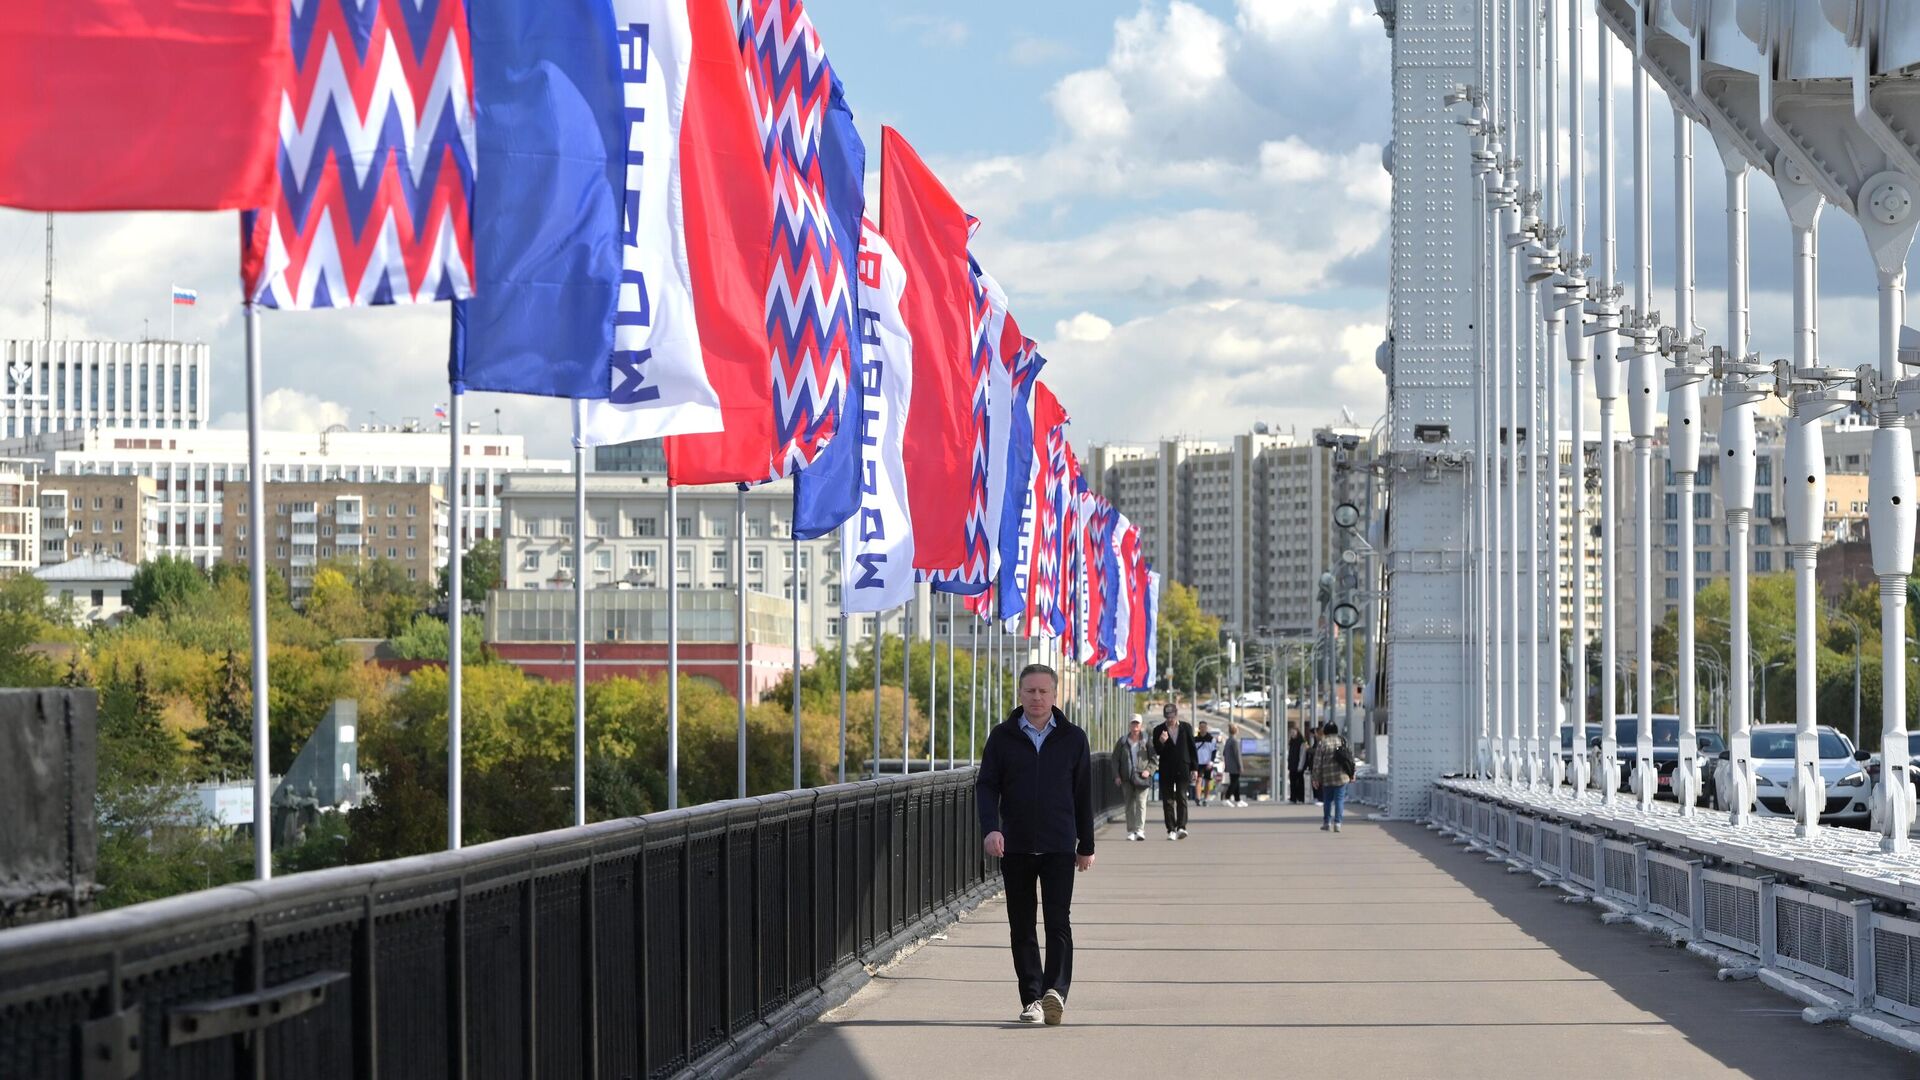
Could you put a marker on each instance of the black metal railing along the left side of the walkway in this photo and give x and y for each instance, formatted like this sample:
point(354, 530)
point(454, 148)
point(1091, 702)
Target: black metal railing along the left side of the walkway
point(681, 943)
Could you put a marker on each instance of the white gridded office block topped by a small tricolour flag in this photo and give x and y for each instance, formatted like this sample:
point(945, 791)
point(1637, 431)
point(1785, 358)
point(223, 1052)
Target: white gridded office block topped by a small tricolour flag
point(72, 385)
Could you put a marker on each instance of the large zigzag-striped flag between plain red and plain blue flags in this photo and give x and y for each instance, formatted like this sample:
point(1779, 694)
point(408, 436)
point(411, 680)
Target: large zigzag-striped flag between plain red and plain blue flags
point(377, 160)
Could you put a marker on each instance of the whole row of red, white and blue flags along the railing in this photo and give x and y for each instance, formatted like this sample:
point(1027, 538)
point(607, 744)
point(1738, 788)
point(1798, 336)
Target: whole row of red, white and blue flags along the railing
point(650, 207)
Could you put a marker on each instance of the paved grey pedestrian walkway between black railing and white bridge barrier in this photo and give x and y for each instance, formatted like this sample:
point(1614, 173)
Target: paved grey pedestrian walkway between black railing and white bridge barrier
point(1262, 946)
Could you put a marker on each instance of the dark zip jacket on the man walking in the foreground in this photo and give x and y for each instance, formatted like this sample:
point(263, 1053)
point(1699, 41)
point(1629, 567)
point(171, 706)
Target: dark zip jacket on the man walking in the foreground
point(1038, 802)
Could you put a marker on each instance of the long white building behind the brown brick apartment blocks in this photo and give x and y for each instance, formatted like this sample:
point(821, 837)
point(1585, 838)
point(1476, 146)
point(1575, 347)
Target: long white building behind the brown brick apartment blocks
point(191, 470)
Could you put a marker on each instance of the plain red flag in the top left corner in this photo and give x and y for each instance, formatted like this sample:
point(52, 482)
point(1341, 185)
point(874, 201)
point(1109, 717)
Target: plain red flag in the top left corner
point(153, 105)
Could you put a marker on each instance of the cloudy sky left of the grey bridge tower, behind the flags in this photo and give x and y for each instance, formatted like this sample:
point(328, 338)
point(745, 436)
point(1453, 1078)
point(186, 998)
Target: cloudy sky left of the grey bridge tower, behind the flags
point(1184, 203)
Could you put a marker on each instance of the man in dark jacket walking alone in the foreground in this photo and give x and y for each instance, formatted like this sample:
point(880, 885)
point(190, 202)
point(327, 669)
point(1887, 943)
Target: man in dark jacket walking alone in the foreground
point(1036, 814)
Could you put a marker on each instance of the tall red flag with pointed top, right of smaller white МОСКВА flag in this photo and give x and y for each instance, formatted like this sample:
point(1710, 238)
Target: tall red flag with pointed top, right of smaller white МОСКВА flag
point(928, 232)
